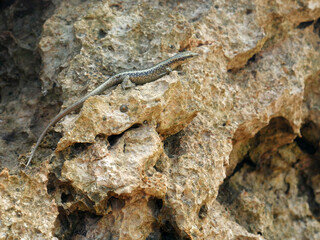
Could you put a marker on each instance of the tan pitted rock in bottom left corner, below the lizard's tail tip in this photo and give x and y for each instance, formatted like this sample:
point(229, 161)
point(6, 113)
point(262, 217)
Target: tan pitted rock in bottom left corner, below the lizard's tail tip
point(26, 209)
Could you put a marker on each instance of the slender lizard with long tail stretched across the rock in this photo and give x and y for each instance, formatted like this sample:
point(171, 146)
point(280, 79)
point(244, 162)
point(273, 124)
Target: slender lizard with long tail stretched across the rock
point(127, 79)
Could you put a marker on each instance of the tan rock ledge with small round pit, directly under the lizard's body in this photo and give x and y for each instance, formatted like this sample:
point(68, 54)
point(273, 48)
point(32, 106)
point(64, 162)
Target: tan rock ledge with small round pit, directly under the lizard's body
point(166, 105)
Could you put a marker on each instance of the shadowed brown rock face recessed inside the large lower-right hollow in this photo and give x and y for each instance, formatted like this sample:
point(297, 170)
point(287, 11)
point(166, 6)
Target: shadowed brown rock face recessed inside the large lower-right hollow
point(271, 197)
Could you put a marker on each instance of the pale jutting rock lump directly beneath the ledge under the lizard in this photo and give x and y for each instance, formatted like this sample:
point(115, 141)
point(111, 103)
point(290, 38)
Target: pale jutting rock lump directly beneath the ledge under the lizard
point(120, 169)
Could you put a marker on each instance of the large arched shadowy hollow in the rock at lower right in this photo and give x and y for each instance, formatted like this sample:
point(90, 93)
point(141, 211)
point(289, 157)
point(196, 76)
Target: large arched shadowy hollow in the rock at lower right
point(274, 141)
